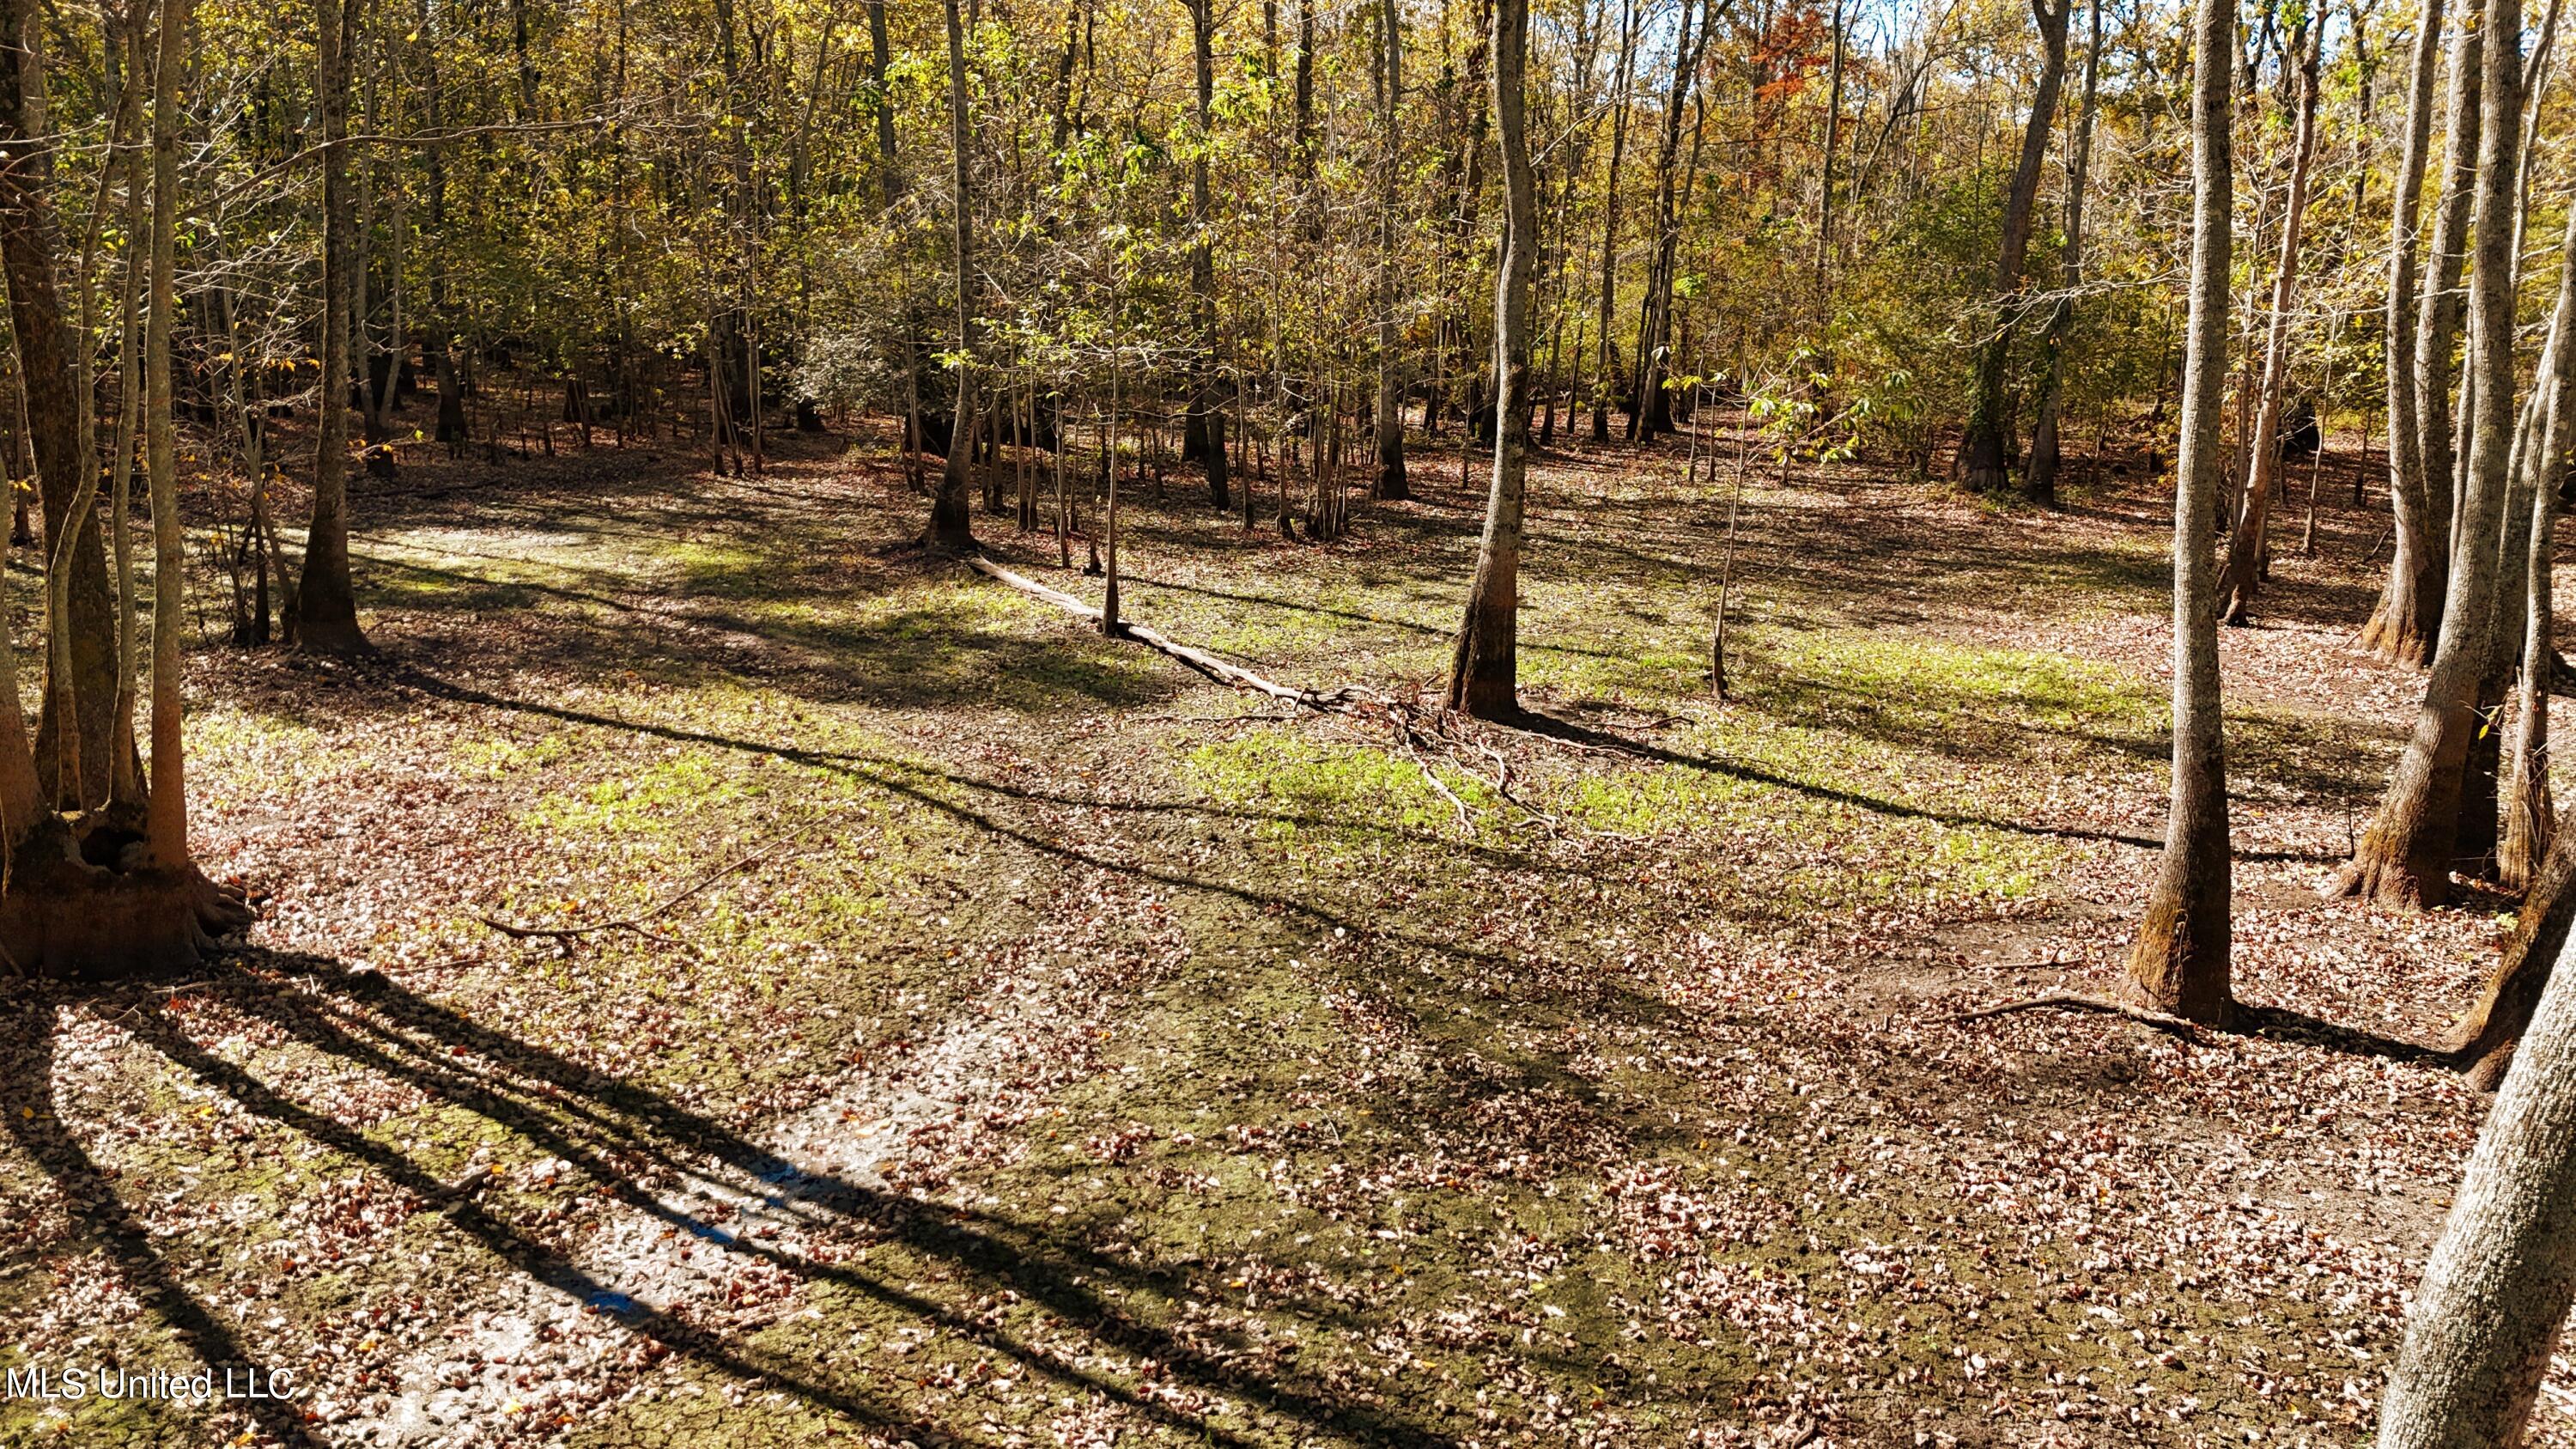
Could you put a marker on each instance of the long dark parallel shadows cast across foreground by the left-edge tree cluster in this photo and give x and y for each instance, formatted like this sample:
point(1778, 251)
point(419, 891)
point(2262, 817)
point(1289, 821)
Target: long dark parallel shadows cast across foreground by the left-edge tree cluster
point(620, 1138)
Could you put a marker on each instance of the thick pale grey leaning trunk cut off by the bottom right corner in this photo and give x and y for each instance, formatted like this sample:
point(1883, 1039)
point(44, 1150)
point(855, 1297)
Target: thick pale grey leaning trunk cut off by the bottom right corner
point(2503, 1275)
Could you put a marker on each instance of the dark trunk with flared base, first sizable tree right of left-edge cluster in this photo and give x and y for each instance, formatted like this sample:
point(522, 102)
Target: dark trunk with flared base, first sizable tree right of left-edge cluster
point(326, 599)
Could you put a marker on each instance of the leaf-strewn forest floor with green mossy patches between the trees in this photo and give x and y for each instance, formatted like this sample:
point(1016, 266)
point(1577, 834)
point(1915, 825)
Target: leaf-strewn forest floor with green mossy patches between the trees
point(1024, 1040)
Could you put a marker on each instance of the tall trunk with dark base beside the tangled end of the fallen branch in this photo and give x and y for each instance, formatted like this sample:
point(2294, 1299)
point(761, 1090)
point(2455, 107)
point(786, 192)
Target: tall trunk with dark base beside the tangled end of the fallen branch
point(1488, 669)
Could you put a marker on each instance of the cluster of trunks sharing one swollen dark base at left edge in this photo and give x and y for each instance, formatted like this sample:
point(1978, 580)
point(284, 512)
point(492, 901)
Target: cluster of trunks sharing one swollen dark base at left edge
point(94, 847)
